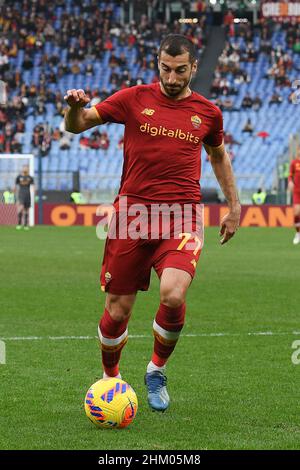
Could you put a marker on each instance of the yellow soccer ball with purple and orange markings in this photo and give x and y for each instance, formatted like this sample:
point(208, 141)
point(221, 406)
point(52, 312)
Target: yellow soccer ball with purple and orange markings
point(111, 403)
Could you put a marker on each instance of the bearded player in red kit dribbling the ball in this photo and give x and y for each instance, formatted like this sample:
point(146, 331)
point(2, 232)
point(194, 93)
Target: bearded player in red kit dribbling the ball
point(165, 126)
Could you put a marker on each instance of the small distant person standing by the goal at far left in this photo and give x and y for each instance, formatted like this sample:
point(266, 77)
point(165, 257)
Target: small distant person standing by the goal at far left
point(22, 191)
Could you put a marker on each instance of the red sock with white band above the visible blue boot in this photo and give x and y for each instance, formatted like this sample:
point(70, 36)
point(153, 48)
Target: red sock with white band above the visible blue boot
point(167, 326)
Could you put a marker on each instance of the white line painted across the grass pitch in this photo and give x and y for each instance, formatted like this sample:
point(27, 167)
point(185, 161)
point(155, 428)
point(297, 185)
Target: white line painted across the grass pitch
point(188, 335)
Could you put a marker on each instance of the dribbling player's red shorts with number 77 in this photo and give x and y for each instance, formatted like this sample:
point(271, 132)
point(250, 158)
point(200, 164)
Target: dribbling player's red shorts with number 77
point(127, 262)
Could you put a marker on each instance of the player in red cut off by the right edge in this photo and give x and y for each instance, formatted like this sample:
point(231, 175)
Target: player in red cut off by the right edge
point(294, 187)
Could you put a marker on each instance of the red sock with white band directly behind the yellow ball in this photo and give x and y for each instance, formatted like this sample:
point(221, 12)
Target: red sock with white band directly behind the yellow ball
point(113, 336)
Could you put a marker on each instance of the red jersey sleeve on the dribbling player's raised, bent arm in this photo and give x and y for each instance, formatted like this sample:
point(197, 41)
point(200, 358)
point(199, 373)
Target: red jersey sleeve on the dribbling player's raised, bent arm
point(116, 108)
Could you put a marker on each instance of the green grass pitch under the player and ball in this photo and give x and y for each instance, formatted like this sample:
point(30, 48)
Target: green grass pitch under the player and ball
point(229, 389)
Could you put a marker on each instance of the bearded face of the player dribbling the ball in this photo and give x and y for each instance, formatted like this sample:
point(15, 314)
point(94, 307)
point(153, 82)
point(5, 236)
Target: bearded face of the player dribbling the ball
point(175, 73)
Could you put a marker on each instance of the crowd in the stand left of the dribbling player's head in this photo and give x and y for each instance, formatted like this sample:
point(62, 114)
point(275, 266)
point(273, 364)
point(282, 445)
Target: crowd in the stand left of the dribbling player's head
point(87, 34)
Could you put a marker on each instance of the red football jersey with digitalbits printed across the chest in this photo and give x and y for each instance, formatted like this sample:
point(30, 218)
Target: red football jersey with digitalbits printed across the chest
point(162, 141)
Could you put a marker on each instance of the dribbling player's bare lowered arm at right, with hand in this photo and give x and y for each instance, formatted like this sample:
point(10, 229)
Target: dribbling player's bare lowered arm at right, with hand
point(222, 168)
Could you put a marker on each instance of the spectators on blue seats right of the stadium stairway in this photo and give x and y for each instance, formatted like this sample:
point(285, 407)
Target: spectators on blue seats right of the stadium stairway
point(245, 45)
